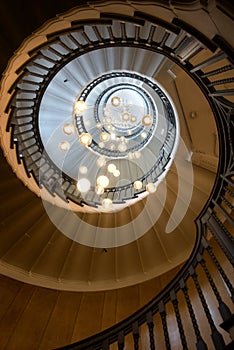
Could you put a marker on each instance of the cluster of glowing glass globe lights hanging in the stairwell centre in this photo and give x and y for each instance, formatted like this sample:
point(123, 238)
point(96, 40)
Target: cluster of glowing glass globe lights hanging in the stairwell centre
point(107, 135)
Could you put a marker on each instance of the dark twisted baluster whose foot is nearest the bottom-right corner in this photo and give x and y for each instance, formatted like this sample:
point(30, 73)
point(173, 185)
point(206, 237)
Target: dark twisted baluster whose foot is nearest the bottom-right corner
point(215, 335)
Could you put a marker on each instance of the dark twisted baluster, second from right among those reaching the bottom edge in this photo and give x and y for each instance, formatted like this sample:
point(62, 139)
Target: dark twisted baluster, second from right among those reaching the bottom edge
point(200, 344)
